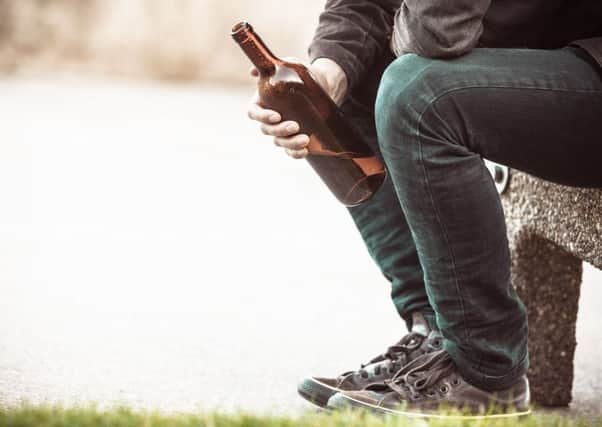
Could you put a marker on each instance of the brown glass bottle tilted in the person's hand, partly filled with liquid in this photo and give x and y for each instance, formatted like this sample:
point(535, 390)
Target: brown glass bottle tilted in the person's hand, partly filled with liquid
point(343, 160)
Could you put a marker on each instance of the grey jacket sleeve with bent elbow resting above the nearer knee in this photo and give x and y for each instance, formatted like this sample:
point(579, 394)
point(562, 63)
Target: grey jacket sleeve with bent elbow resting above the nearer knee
point(438, 28)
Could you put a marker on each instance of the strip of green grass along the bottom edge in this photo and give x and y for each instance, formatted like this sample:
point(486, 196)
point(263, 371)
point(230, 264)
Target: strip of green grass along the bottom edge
point(30, 416)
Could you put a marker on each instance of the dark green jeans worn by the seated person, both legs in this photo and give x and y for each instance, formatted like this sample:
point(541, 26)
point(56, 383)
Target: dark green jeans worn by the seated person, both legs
point(436, 229)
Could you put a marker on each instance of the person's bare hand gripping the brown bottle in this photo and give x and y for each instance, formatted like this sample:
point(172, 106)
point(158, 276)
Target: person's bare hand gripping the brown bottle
point(286, 134)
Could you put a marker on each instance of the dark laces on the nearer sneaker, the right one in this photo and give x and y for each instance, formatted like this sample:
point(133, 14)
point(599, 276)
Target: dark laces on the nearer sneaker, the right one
point(421, 374)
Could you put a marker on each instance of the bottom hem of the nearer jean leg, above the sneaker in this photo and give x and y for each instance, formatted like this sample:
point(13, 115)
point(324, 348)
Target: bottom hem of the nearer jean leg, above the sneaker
point(479, 379)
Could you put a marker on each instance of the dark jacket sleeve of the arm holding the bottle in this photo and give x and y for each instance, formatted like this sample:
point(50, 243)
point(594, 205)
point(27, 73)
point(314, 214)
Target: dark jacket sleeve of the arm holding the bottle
point(354, 33)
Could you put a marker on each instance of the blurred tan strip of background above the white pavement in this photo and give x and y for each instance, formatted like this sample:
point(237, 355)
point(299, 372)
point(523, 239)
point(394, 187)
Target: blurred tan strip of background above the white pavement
point(179, 40)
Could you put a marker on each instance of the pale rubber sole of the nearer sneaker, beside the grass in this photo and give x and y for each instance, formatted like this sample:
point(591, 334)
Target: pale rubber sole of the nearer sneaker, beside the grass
point(341, 401)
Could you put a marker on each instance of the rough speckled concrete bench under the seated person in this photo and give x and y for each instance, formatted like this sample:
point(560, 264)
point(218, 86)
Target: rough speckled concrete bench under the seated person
point(551, 229)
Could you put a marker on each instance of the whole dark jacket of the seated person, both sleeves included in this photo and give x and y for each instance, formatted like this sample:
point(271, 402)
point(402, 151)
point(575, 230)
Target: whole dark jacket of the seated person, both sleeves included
point(358, 33)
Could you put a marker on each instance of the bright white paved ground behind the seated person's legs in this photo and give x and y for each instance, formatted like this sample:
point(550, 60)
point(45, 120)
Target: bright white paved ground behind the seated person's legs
point(156, 251)
